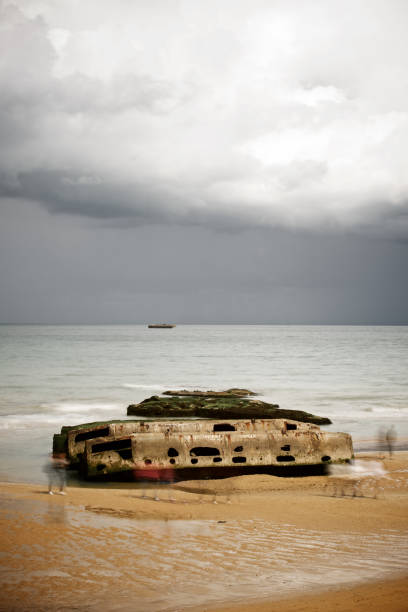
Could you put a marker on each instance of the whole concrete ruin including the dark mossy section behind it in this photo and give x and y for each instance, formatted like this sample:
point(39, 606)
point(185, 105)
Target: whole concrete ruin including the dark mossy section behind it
point(212, 432)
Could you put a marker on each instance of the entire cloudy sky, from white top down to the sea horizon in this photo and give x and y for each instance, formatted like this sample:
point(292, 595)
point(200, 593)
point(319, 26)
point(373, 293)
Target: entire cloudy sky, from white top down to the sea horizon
point(205, 161)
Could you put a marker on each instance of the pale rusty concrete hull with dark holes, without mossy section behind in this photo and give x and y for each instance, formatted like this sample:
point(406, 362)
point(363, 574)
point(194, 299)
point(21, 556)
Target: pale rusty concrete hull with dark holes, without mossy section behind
point(110, 448)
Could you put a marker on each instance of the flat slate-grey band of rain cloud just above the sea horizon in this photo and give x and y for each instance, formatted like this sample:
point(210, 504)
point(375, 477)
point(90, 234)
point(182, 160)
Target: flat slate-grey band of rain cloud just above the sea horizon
point(63, 270)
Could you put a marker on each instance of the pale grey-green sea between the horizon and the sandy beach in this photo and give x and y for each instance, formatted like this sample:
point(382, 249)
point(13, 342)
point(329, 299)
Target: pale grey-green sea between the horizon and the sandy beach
point(62, 375)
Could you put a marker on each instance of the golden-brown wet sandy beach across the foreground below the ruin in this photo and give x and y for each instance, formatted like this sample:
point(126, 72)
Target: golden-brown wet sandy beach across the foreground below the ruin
point(108, 549)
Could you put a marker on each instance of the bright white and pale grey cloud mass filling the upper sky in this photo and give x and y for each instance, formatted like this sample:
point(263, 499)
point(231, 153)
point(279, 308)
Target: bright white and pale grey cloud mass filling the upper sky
point(295, 112)
